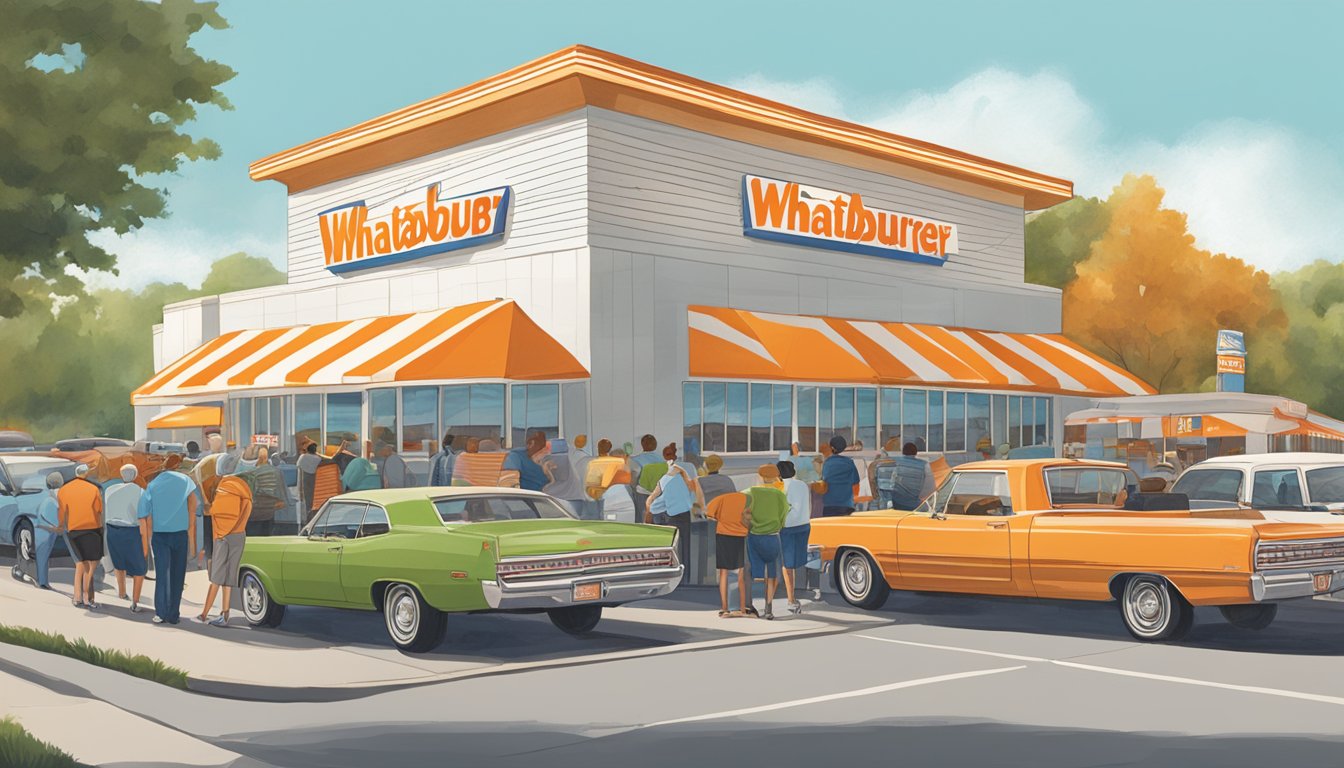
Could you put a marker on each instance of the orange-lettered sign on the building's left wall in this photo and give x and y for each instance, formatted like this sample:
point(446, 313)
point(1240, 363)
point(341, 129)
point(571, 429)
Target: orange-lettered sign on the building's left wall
point(411, 227)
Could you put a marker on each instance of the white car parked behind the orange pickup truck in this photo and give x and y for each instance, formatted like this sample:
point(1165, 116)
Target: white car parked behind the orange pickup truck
point(1290, 488)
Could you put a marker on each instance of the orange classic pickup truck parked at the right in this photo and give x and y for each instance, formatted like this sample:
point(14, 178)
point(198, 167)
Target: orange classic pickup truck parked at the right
point(1081, 531)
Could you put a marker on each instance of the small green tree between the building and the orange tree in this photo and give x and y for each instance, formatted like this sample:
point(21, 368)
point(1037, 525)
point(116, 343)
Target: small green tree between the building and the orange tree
point(1061, 237)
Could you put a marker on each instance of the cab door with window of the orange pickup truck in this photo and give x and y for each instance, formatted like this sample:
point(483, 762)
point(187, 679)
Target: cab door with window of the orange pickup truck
point(966, 548)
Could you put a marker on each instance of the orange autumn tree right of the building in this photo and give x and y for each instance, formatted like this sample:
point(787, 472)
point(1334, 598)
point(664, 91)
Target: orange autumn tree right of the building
point(1152, 302)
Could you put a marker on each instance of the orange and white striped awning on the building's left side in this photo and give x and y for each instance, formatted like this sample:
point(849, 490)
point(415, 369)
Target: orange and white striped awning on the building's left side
point(483, 341)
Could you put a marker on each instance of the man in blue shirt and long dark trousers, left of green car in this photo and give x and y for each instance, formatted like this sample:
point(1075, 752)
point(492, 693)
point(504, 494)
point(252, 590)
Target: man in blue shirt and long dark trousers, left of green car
point(171, 502)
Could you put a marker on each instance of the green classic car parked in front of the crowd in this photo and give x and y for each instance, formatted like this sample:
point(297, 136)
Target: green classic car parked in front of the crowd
point(417, 555)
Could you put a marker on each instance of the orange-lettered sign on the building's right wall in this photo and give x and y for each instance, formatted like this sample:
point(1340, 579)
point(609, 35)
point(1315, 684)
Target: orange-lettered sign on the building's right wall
point(788, 212)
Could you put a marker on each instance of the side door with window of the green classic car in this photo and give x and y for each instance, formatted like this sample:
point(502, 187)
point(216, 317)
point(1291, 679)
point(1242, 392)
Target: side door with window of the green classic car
point(312, 567)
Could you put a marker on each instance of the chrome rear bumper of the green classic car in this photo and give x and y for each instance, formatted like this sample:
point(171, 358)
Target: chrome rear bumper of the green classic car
point(620, 587)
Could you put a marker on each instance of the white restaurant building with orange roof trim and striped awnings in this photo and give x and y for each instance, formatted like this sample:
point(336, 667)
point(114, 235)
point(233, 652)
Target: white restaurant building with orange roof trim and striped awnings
point(592, 245)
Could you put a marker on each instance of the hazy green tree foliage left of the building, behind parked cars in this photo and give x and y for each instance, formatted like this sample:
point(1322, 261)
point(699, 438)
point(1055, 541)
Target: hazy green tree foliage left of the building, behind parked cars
point(76, 362)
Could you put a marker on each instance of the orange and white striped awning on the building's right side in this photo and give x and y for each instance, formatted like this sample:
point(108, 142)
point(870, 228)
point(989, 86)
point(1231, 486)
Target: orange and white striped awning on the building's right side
point(740, 345)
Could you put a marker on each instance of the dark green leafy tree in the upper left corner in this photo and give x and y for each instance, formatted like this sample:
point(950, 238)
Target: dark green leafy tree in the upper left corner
point(96, 95)
